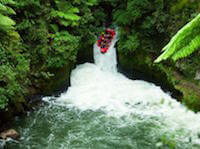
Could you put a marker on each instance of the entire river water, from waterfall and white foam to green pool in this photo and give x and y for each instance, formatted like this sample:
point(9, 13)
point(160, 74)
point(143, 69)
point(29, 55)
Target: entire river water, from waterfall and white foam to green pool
point(102, 109)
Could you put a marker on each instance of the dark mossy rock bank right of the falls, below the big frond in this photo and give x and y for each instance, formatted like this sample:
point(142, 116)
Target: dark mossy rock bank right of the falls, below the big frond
point(167, 75)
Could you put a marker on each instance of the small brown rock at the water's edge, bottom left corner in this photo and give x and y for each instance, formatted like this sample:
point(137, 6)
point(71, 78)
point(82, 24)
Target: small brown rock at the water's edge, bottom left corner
point(10, 133)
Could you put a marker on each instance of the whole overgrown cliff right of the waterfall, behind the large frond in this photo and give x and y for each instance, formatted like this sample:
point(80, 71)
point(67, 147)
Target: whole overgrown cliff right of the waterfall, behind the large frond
point(145, 32)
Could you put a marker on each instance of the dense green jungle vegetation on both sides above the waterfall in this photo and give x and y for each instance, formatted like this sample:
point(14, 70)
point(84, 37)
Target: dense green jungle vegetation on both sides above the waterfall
point(40, 35)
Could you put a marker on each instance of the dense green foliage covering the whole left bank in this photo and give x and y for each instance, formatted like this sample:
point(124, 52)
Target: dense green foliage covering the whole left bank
point(46, 37)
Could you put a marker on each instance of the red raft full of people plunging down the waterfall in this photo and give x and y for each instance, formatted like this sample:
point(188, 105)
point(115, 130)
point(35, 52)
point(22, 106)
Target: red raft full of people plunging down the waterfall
point(105, 40)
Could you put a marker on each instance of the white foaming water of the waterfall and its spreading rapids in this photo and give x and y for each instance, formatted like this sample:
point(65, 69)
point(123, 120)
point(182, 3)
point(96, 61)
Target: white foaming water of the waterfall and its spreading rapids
point(100, 87)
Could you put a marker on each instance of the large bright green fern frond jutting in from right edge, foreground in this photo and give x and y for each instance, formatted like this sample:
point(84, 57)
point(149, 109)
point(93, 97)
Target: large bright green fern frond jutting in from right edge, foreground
point(185, 42)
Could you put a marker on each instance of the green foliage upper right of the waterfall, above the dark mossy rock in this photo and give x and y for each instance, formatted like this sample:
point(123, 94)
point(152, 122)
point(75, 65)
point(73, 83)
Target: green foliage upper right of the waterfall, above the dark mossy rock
point(145, 25)
